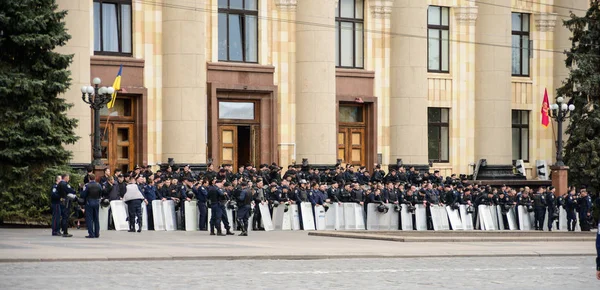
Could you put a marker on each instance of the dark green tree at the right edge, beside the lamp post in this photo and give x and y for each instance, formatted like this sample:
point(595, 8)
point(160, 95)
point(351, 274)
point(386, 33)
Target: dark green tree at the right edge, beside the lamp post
point(582, 87)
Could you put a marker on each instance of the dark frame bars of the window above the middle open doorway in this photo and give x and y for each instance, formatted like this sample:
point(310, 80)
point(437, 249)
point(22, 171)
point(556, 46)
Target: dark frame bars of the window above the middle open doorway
point(242, 13)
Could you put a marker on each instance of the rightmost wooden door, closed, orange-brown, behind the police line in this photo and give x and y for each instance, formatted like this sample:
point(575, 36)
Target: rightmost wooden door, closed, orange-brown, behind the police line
point(351, 145)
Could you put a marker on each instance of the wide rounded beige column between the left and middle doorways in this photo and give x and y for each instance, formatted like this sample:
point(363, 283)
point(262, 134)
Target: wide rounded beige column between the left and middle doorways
point(184, 82)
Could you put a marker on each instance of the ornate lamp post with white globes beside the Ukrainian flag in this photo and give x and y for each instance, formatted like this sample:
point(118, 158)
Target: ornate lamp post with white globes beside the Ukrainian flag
point(96, 97)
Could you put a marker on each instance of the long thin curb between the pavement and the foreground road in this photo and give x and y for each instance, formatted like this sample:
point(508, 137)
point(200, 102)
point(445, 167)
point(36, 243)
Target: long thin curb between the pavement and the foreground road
point(294, 258)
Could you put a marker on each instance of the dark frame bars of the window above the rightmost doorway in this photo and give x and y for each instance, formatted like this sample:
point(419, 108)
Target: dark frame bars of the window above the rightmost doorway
point(338, 23)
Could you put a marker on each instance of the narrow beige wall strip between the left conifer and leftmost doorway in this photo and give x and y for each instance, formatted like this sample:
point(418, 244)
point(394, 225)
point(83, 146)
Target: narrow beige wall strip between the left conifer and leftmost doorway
point(79, 25)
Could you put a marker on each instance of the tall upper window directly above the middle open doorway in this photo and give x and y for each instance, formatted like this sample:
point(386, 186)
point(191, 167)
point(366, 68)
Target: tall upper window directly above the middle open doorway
point(238, 30)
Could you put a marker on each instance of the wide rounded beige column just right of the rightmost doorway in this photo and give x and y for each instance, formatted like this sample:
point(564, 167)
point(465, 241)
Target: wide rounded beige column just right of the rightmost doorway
point(408, 84)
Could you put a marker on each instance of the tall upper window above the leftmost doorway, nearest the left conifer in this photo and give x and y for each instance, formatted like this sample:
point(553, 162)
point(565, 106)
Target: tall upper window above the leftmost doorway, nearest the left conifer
point(112, 27)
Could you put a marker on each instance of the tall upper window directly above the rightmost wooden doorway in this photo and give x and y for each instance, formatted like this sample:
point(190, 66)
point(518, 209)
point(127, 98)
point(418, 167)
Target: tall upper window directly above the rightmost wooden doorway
point(349, 21)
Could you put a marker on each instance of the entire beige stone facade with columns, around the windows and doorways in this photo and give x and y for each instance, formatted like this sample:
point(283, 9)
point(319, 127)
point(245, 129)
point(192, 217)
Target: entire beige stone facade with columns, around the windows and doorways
point(479, 89)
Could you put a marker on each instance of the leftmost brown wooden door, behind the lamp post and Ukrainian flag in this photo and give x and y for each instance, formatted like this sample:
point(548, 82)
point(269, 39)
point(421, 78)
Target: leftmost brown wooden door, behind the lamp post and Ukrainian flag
point(118, 146)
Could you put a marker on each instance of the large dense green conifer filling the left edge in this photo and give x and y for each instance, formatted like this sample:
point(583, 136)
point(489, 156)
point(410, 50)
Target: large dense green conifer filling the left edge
point(33, 121)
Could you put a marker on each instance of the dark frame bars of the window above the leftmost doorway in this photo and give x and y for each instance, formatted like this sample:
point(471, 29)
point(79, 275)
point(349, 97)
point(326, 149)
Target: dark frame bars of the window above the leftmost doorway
point(119, 3)
